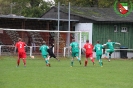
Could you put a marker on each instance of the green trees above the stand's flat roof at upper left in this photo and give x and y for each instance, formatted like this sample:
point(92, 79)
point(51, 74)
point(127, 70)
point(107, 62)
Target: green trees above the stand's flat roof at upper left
point(27, 8)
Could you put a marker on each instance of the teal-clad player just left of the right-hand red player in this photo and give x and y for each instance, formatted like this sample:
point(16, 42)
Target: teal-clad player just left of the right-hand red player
point(74, 49)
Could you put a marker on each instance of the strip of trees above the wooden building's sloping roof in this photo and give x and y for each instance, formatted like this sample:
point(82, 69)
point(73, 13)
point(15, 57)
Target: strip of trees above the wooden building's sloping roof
point(90, 3)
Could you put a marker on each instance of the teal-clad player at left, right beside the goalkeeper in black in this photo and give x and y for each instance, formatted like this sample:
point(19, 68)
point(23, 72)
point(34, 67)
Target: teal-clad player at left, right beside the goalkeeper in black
point(44, 51)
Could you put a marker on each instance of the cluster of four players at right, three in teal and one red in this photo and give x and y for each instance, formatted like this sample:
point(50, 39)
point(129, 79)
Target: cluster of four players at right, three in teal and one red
point(88, 49)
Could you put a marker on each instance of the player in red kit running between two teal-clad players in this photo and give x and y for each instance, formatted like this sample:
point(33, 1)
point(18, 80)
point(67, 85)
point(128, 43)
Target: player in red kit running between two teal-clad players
point(88, 48)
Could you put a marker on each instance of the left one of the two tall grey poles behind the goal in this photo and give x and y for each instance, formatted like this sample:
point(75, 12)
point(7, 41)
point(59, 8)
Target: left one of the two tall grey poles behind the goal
point(58, 29)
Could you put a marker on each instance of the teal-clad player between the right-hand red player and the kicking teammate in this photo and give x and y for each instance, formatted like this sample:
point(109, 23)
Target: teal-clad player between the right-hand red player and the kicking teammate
point(98, 49)
